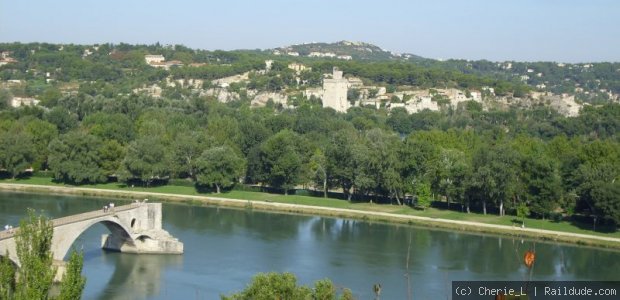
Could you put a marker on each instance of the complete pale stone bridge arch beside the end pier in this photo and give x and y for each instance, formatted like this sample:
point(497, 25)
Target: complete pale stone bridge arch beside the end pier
point(65, 236)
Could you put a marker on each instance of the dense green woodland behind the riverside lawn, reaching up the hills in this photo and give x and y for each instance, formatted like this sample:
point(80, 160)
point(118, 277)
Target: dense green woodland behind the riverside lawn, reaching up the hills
point(488, 161)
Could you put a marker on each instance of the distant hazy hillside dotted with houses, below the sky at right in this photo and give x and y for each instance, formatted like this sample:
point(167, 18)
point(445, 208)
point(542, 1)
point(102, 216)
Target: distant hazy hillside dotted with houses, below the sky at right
point(593, 83)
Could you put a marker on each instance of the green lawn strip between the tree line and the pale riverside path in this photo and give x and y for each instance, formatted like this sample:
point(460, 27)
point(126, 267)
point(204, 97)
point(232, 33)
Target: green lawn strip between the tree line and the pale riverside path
point(337, 203)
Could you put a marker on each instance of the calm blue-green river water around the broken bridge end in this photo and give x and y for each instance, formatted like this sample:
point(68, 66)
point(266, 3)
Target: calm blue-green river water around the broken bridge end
point(224, 248)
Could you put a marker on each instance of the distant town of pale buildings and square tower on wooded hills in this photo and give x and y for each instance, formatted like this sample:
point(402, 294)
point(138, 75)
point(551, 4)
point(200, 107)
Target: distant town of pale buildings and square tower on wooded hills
point(336, 89)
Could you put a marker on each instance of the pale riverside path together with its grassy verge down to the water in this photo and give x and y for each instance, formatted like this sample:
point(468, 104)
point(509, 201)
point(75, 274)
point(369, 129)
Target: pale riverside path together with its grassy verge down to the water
point(468, 226)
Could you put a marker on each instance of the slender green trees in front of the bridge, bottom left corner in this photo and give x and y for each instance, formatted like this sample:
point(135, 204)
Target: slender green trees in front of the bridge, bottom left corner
point(34, 278)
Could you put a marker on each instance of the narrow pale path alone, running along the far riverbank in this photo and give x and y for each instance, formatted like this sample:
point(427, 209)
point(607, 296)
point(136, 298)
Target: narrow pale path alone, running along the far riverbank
point(327, 210)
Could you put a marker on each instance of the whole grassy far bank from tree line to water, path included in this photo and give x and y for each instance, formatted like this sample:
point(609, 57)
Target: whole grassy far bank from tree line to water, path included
point(560, 231)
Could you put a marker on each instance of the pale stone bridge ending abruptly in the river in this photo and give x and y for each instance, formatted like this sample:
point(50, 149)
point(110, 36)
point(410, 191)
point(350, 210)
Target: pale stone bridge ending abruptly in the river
point(134, 228)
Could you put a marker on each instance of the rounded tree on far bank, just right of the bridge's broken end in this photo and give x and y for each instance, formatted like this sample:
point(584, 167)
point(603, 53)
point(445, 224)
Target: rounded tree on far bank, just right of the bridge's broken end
point(220, 167)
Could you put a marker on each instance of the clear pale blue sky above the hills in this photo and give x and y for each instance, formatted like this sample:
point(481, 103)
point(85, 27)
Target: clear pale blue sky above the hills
point(497, 30)
